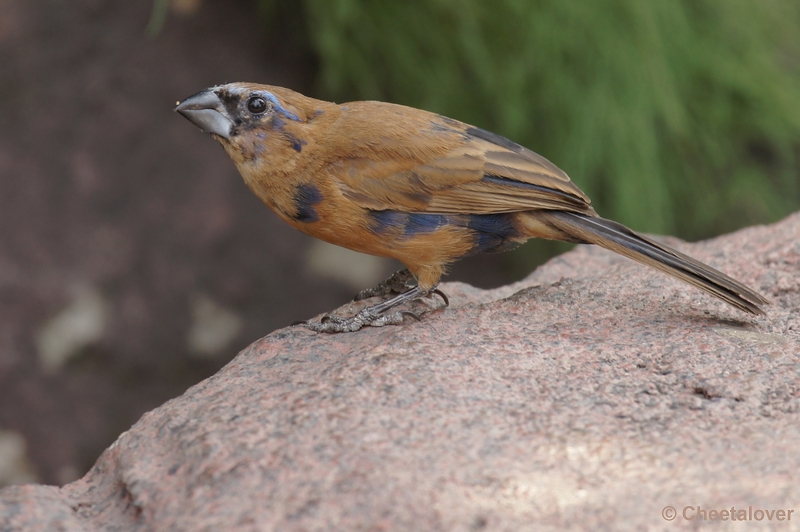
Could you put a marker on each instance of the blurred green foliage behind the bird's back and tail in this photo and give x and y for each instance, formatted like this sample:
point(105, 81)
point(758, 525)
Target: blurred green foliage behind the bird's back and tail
point(676, 117)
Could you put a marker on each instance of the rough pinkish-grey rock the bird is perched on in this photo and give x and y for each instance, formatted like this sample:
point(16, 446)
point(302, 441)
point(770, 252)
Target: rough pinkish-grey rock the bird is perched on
point(590, 396)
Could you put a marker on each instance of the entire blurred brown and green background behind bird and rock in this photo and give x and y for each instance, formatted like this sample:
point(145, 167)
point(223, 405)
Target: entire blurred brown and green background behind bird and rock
point(134, 262)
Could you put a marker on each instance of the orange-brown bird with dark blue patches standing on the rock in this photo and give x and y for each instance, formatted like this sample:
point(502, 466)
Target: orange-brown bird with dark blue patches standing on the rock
point(409, 184)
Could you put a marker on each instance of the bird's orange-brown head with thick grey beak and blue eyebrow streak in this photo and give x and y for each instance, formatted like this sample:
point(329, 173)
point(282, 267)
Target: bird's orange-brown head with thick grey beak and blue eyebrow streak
point(251, 120)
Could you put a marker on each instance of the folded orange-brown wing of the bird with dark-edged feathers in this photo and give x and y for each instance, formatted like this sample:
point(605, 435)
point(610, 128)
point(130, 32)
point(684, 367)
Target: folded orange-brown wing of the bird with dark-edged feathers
point(428, 163)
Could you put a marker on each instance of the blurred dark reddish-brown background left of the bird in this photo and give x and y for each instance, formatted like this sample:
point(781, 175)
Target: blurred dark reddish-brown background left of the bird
point(134, 262)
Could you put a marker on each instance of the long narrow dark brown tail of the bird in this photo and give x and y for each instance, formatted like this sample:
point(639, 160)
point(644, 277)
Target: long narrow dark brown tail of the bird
point(618, 238)
